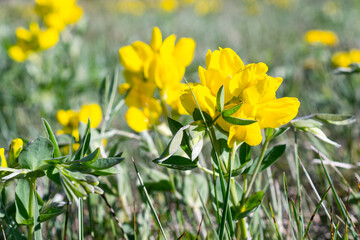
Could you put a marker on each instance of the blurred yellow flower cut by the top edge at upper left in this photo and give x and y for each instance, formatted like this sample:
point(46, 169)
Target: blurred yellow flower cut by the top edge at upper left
point(57, 14)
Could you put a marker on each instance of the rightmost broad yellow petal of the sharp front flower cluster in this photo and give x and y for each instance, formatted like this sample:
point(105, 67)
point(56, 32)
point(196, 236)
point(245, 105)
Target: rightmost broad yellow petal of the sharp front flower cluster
point(278, 112)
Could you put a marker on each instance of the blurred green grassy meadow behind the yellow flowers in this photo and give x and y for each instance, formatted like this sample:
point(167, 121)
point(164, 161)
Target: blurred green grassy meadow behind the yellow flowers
point(69, 74)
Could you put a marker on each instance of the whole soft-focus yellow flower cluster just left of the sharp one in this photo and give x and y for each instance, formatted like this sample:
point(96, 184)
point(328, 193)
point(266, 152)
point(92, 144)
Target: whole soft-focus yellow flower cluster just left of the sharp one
point(158, 66)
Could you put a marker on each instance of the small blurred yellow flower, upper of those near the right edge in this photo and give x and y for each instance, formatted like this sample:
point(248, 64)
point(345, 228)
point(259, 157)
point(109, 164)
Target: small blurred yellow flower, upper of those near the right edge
point(328, 38)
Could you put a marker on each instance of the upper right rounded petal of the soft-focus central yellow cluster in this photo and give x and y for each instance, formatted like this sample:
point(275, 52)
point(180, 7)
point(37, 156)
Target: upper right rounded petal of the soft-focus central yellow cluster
point(184, 51)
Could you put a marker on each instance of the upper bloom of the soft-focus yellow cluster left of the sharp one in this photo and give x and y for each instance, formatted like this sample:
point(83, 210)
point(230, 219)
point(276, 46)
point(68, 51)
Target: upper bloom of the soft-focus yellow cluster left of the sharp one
point(161, 62)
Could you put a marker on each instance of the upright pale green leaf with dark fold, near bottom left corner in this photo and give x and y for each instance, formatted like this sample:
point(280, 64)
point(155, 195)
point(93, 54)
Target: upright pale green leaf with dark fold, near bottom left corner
point(22, 193)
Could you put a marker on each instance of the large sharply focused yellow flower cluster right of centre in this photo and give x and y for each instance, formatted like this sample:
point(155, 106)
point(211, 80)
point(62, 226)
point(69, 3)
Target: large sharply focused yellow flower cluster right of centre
point(247, 86)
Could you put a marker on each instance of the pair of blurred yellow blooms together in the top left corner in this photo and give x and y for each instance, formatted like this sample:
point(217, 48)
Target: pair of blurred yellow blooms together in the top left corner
point(55, 15)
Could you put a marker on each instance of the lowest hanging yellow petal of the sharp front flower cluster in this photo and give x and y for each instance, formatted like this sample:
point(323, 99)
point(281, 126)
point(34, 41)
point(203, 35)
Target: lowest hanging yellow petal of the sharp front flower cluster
point(251, 134)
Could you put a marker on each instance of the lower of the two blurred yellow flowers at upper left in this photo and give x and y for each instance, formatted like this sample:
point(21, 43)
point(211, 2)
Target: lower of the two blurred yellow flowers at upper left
point(32, 40)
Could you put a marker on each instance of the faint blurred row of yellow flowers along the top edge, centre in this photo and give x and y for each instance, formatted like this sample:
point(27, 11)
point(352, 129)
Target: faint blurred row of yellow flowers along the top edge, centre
point(137, 7)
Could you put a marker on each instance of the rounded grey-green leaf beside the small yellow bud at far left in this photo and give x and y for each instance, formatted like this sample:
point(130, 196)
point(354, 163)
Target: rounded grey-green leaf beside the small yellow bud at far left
point(33, 155)
